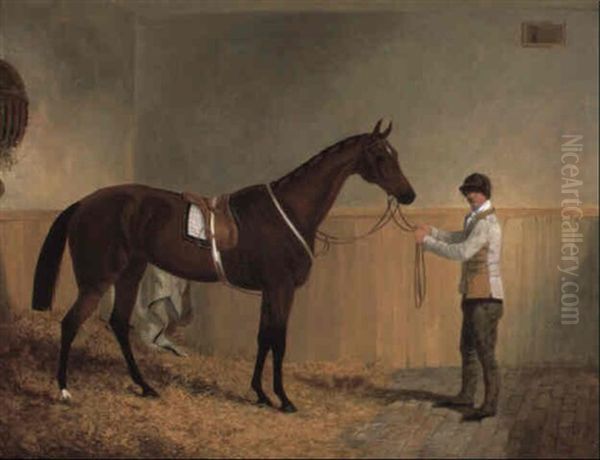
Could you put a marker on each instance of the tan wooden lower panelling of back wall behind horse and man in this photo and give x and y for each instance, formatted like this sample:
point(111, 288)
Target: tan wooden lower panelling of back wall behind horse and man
point(359, 302)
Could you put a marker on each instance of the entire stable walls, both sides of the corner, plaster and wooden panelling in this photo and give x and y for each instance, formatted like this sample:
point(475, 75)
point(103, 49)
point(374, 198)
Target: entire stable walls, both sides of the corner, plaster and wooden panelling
point(223, 101)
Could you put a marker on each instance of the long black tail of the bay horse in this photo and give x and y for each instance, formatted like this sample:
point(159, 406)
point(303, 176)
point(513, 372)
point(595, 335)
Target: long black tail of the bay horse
point(46, 270)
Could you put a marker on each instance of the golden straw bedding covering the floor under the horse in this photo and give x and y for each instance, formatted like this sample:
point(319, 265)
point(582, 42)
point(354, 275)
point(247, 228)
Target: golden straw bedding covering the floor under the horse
point(206, 407)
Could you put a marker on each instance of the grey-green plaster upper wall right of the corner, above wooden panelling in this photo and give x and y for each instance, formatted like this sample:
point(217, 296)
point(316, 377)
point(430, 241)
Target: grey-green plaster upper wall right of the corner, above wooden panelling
point(227, 100)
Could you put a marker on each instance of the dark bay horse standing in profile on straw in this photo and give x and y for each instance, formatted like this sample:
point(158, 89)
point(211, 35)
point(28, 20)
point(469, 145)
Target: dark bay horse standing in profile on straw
point(116, 231)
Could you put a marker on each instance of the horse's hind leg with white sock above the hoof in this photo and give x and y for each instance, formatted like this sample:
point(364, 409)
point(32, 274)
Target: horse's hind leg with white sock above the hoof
point(86, 303)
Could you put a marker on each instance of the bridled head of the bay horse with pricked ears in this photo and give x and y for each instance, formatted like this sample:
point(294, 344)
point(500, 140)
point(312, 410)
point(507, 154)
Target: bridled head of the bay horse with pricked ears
point(378, 164)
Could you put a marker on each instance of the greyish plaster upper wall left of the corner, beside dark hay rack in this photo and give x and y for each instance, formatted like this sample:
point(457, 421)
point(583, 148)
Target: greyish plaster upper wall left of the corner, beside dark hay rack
point(77, 61)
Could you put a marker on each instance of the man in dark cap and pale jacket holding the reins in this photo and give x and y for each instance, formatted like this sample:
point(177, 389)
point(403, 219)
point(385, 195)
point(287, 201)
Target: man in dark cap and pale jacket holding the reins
point(478, 247)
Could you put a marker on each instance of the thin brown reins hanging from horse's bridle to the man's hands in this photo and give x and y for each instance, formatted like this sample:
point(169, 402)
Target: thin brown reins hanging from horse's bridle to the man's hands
point(393, 208)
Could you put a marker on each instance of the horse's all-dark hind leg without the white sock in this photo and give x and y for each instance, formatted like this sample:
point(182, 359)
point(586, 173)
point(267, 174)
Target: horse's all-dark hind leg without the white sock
point(126, 289)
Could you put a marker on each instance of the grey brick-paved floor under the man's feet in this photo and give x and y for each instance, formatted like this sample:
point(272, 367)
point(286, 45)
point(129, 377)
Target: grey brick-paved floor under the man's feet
point(543, 412)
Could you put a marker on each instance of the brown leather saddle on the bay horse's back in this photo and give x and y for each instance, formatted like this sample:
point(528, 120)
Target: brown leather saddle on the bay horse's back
point(225, 226)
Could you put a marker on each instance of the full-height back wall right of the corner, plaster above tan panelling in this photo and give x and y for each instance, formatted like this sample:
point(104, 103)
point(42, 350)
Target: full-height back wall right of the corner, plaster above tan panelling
point(229, 99)
